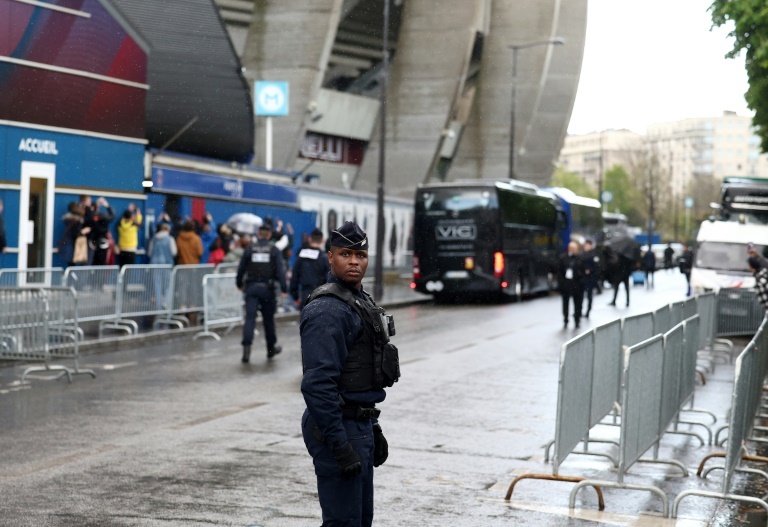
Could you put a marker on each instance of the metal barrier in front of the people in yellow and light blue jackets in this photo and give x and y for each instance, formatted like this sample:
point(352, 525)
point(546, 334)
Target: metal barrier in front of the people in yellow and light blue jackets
point(138, 290)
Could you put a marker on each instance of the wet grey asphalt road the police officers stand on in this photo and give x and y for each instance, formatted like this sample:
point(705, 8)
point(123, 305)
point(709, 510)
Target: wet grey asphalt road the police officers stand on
point(179, 433)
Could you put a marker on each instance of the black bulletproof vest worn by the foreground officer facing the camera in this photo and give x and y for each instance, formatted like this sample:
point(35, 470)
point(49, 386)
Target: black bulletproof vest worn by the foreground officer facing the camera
point(373, 361)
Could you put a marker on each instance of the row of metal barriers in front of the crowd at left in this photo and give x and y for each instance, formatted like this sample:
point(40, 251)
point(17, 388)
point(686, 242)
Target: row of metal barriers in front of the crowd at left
point(44, 311)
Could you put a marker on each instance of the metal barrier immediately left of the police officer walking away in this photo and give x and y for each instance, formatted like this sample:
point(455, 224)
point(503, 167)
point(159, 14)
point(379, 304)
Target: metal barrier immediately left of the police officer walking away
point(223, 303)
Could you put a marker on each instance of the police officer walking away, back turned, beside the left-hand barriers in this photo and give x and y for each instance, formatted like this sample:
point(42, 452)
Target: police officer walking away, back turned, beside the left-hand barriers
point(260, 266)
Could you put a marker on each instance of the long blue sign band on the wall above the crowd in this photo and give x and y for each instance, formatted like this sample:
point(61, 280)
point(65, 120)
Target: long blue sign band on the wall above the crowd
point(209, 186)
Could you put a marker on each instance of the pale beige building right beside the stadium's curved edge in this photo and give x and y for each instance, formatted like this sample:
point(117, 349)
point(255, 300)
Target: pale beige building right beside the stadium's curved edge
point(591, 155)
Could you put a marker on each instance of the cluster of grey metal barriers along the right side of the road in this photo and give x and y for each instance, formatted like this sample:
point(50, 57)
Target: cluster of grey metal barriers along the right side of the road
point(639, 373)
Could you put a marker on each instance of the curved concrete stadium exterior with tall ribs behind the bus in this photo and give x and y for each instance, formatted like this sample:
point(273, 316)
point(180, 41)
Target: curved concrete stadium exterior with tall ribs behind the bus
point(449, 91)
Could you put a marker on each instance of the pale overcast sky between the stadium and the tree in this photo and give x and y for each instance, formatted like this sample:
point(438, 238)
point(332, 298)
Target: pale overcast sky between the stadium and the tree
point(648, 61)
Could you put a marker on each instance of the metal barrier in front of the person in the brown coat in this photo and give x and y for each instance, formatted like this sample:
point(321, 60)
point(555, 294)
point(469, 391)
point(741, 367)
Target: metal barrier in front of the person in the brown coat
point(182, 295)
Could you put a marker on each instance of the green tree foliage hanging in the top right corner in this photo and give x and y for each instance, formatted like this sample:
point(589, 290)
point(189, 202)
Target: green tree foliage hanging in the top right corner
point(751, 35)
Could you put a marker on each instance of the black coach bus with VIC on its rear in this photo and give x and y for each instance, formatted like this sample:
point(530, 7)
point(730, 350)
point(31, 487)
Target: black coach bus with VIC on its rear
point(492, 237)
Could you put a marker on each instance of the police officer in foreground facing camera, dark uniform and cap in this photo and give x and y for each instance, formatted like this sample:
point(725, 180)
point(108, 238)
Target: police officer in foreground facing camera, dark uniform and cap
point(347, 362)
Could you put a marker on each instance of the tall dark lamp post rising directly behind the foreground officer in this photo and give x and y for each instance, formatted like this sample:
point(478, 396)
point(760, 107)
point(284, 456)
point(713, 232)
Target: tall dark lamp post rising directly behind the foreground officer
point(378, 277)
